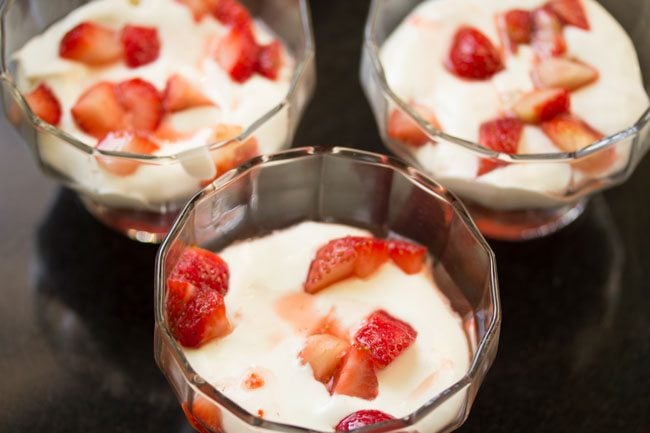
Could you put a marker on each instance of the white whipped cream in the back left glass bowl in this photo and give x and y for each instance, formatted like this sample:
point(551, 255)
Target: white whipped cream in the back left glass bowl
point(183, 49)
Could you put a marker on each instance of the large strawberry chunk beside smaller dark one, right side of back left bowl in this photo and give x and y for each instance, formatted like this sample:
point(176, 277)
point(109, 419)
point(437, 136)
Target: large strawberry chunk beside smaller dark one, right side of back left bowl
point(237, 53)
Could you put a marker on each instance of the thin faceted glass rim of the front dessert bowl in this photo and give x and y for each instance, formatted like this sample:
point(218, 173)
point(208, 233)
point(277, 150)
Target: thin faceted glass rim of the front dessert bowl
point(483, 346)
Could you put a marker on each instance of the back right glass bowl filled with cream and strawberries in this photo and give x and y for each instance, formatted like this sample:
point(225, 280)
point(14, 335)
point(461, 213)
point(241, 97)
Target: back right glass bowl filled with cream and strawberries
point(575, 132)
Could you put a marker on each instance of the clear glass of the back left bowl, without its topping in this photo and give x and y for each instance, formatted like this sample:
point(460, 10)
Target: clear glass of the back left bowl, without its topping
point(143, 207)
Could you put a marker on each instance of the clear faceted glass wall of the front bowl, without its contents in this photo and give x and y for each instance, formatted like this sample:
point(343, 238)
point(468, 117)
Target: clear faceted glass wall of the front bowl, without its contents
point(345, 186)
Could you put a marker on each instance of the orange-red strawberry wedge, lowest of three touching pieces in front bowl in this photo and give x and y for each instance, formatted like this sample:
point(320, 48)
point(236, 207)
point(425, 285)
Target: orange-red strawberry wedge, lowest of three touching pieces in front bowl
point(356, 377)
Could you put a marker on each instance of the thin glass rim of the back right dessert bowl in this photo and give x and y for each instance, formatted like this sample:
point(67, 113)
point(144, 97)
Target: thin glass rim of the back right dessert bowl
point(609, 141)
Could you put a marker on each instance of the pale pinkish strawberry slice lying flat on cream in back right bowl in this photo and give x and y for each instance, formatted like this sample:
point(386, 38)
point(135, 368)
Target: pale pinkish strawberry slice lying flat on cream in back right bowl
point(562, 72)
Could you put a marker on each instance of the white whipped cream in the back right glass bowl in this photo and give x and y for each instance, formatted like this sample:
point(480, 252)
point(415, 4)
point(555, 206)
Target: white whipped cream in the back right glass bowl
point(611, 104)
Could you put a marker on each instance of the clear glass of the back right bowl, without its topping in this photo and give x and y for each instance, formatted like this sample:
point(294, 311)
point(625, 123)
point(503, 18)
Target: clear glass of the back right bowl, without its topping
point(537, 212)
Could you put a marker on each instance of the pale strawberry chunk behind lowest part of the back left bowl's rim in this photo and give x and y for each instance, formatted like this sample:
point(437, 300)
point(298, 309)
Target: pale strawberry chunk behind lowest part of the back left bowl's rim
point(128, 142)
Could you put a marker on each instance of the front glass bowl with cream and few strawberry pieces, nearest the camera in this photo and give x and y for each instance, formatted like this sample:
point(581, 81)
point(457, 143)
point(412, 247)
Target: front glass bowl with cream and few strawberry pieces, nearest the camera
point(304, 197)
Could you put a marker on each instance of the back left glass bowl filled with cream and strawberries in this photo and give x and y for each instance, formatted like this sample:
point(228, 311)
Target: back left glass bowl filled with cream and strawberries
point(138, 133)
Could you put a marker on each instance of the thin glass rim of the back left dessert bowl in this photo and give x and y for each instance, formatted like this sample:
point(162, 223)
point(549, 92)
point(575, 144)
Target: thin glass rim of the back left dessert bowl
point(301, 68)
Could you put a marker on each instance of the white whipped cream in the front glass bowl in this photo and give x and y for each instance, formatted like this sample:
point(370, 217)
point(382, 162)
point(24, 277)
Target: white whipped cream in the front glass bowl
point(270, 271)
